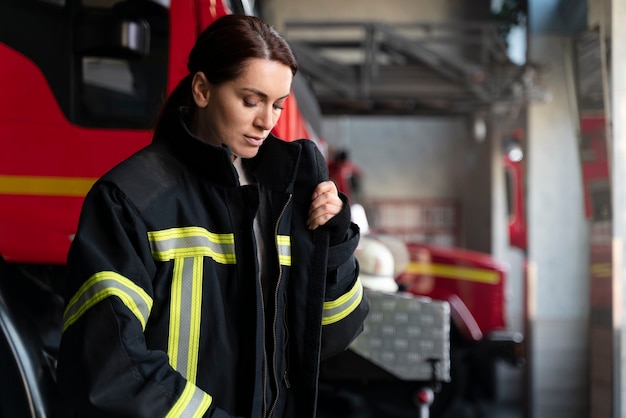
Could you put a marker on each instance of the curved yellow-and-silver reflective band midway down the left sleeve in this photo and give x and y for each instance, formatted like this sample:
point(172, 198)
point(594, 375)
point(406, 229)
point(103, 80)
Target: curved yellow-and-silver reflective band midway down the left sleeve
point(102, 285)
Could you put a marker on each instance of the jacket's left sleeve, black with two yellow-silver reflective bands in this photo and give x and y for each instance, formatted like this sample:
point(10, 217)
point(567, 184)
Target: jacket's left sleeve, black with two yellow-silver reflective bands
point(105, 368)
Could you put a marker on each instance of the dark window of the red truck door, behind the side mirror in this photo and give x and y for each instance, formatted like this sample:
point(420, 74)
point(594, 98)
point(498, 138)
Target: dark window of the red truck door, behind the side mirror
point(122, 88)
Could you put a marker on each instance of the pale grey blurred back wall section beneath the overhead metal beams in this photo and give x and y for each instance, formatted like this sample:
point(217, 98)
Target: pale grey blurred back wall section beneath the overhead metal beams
point(403, 157)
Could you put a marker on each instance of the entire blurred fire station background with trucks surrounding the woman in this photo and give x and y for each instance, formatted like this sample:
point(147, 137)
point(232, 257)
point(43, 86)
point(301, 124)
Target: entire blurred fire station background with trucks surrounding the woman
point(480, 143)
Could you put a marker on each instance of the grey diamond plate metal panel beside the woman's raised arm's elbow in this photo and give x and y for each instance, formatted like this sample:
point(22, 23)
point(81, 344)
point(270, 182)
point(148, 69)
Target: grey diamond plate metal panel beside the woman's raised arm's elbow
point(402, 332)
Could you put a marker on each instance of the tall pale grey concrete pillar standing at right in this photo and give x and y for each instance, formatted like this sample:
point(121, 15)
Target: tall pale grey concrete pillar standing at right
point(558, 243)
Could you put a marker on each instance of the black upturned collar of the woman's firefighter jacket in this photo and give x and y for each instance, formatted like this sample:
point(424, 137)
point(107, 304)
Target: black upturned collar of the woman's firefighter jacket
point(275, 165)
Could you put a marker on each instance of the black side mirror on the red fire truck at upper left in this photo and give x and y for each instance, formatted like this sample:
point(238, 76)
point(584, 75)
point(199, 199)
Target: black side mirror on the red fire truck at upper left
point(112, 36)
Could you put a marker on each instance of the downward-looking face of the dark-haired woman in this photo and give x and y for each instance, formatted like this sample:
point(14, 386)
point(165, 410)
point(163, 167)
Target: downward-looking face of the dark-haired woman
point(242, 112)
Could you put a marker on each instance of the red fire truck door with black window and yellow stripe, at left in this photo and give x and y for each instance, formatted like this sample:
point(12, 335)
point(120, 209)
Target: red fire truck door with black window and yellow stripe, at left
point(82, 82)
